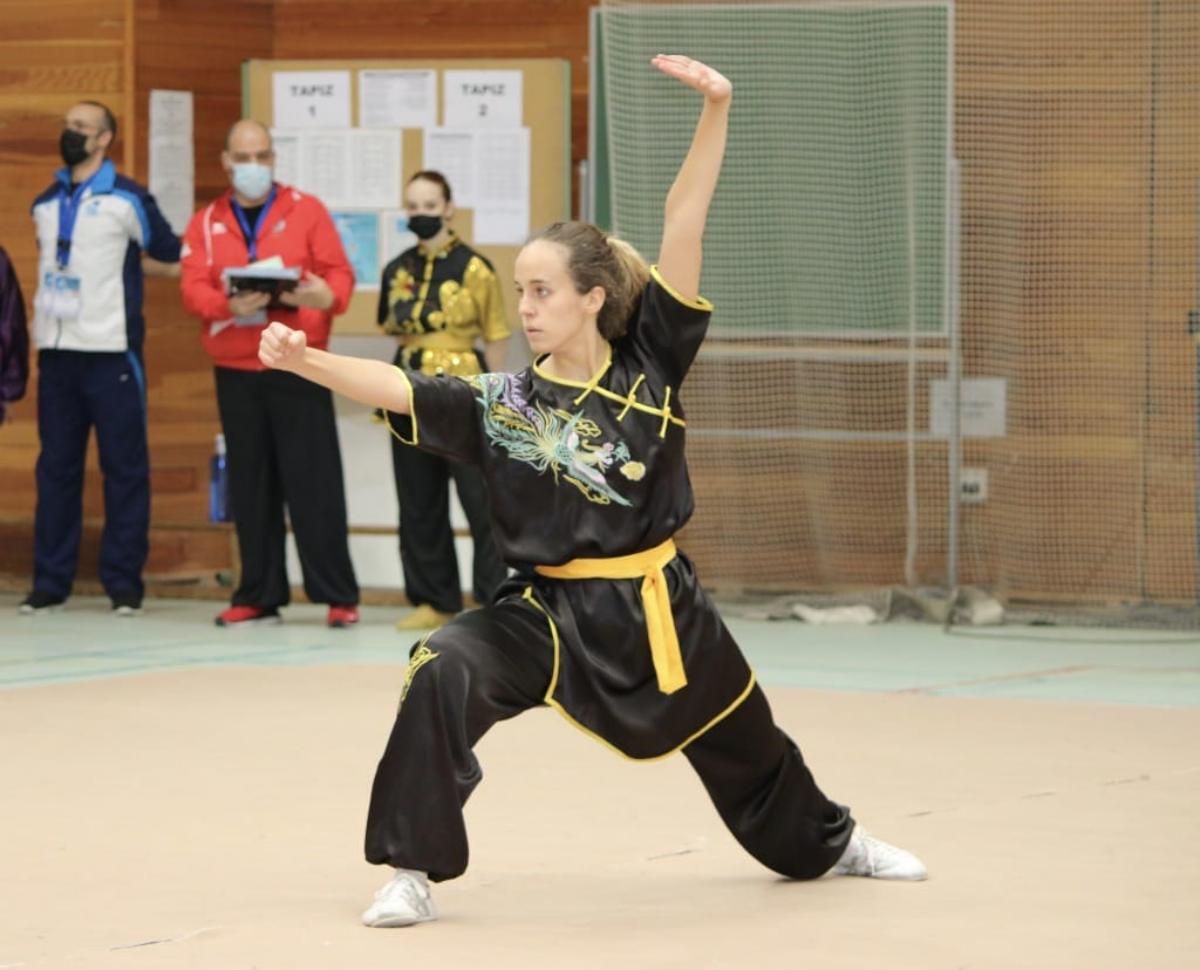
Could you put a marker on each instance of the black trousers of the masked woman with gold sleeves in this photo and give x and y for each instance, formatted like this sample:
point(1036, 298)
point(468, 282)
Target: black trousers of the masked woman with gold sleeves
point(427, 540)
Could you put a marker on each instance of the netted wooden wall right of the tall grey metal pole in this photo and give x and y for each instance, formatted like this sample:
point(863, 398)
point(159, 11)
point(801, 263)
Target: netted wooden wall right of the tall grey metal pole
point(1071, 121)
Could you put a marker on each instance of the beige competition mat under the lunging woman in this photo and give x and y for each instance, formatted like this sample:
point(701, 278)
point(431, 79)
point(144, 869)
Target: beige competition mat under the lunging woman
point(213, 819)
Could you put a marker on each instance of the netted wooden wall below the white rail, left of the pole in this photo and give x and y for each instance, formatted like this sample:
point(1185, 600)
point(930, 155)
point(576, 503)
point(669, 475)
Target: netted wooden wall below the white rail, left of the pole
point(820, 516)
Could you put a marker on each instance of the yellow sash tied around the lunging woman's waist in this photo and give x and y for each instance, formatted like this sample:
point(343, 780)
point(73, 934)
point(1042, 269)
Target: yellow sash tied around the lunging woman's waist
point(656, 602)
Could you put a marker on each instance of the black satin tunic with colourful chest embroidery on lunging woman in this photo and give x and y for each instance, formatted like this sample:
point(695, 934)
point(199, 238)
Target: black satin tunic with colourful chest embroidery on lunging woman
point(597, 470)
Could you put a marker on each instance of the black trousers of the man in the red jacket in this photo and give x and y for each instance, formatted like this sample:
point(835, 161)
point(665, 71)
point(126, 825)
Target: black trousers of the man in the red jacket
point(281, 447)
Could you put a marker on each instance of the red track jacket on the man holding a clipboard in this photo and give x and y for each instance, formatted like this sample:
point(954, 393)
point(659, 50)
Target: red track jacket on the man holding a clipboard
point(298, 230)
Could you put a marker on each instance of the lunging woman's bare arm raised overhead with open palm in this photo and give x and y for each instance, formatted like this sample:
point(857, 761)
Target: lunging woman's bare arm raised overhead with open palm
point(687, 207)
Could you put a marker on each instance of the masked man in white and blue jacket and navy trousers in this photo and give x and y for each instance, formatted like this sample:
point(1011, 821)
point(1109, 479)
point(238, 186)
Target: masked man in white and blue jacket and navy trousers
point(93, 227)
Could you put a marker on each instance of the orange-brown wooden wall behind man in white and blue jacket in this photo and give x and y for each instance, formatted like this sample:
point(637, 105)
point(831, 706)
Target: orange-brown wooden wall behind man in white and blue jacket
point(47, 68)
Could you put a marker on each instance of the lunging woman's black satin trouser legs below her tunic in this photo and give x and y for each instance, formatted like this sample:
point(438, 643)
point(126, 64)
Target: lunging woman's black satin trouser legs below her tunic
point(493, 664)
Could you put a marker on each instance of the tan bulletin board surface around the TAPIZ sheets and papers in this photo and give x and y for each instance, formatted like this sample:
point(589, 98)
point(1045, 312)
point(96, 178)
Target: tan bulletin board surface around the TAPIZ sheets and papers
point(545, 112)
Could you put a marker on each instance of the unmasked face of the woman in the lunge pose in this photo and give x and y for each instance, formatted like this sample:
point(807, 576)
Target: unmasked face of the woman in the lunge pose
point(553, 313)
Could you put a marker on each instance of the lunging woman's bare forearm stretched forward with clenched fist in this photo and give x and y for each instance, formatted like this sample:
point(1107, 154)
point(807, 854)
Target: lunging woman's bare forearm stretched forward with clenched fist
point(369, 382)
